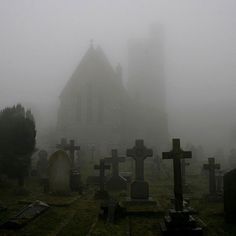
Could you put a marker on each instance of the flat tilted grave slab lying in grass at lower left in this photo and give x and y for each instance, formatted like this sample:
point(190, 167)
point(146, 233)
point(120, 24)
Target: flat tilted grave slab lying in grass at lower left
point(25, 215)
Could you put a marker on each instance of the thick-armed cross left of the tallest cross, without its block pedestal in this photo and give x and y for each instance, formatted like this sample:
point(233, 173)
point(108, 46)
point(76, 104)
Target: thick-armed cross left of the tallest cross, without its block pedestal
point(139, 153)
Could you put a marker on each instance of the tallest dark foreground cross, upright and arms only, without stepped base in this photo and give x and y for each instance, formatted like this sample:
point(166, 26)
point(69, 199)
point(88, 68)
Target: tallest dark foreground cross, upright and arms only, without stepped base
point(177, 154)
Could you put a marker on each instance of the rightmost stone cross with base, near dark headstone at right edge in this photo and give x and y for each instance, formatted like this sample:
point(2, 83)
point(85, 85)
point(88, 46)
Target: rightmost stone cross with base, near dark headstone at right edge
point(212, 167)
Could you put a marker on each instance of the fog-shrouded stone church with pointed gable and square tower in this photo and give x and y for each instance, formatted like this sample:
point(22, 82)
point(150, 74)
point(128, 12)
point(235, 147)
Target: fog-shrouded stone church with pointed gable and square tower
point(100, 113)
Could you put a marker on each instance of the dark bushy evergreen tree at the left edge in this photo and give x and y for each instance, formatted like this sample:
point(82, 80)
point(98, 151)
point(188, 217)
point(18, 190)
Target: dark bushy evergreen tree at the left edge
point(17, 142)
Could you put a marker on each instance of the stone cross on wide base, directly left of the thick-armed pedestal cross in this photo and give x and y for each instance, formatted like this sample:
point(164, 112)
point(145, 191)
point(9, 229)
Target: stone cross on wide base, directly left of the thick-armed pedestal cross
point(115, 182)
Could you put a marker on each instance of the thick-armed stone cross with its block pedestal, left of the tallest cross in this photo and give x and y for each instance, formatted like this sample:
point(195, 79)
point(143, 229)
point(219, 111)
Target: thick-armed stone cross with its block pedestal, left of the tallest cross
point(139, 187)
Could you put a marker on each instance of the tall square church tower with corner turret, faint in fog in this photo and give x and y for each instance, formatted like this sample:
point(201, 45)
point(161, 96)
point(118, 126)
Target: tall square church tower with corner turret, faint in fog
point(146, 86)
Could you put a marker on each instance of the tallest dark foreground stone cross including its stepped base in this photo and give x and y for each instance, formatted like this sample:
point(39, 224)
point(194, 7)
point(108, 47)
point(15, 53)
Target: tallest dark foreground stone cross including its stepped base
point(179, 221)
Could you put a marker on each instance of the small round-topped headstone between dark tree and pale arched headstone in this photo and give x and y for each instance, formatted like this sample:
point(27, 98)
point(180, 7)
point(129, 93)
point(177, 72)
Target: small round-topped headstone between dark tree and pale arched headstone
point(42, 164)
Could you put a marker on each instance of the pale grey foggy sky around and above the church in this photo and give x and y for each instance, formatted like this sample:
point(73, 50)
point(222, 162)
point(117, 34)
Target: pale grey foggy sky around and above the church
point(42, 42)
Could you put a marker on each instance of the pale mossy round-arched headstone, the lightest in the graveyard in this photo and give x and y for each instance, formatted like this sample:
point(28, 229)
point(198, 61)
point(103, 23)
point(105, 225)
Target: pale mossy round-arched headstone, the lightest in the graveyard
point(59, 172)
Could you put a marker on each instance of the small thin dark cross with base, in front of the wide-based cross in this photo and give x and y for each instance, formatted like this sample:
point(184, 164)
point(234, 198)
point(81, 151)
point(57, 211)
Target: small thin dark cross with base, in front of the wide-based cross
point(102, 167)
